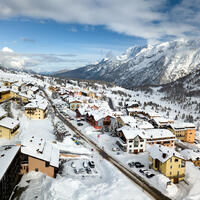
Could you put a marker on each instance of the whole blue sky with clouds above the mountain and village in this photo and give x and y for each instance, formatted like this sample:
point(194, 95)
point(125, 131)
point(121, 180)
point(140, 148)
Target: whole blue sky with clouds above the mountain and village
point(52, 35)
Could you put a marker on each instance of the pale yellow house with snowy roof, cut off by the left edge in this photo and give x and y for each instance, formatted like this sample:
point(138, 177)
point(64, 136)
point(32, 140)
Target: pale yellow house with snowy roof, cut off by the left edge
point(9, 127)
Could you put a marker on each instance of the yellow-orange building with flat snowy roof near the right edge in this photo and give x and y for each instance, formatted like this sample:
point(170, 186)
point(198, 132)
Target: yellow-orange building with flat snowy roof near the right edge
point(183, 131)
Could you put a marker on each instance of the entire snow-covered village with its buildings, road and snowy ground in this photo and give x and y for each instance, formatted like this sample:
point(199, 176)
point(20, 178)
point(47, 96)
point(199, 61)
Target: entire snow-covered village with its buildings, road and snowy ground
point(67, 139)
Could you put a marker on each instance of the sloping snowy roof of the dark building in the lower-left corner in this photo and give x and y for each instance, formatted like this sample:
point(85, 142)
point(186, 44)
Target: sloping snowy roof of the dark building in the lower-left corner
point(7, 154)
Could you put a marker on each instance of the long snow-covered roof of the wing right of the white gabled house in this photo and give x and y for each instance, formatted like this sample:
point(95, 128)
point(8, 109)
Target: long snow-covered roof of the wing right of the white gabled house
point(159, 133)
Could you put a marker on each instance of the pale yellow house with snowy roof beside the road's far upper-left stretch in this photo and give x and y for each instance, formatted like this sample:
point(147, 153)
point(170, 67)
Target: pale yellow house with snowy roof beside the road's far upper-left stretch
point(36, 110)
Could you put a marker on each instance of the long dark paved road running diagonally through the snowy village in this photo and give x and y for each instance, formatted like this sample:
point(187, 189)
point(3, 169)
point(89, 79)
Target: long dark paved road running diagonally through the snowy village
point(153, 192)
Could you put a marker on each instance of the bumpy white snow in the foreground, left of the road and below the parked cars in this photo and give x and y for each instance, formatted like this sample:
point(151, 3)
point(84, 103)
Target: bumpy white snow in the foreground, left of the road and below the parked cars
point(108, 184)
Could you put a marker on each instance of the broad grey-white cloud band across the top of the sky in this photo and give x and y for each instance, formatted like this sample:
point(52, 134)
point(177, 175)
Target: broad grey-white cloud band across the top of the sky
point(131, 17)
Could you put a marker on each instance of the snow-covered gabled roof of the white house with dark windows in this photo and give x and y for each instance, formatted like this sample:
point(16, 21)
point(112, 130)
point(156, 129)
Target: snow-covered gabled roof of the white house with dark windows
point(131, 133)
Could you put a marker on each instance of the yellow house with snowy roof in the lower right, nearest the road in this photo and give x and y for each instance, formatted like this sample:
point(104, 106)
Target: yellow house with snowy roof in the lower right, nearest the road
point(168, 162)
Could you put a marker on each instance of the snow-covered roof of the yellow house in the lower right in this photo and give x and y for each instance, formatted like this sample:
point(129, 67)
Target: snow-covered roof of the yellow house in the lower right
point(163, 153)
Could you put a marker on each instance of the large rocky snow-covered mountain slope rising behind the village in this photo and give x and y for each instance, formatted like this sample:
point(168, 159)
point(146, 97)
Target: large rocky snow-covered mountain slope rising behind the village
point(145, 65)
